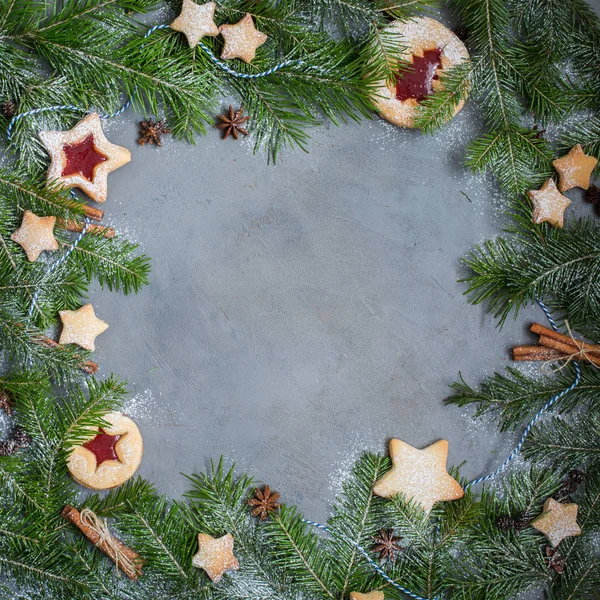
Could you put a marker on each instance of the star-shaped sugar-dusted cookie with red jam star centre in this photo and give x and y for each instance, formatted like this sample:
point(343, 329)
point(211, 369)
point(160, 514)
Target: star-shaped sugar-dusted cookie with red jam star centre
point(82, 157)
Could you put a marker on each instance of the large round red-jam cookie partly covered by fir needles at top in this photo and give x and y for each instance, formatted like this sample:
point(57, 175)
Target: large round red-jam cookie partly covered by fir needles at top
point(431, 49)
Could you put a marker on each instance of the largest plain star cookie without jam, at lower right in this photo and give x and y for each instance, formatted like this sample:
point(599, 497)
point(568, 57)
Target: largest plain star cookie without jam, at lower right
point(420, 475)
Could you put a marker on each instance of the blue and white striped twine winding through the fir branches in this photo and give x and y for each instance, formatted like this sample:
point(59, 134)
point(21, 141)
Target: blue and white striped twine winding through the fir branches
point(270, 71)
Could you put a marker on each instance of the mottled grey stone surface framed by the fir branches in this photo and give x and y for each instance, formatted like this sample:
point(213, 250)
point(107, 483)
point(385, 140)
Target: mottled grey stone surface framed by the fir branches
point(302, 313)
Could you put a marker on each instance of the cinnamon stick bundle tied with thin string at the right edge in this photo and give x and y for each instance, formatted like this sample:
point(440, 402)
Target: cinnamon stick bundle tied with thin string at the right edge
point(554, 346)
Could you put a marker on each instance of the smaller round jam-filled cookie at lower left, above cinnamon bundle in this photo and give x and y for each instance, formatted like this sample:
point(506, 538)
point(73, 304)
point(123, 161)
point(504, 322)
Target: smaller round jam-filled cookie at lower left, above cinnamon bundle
point(110, 456)
